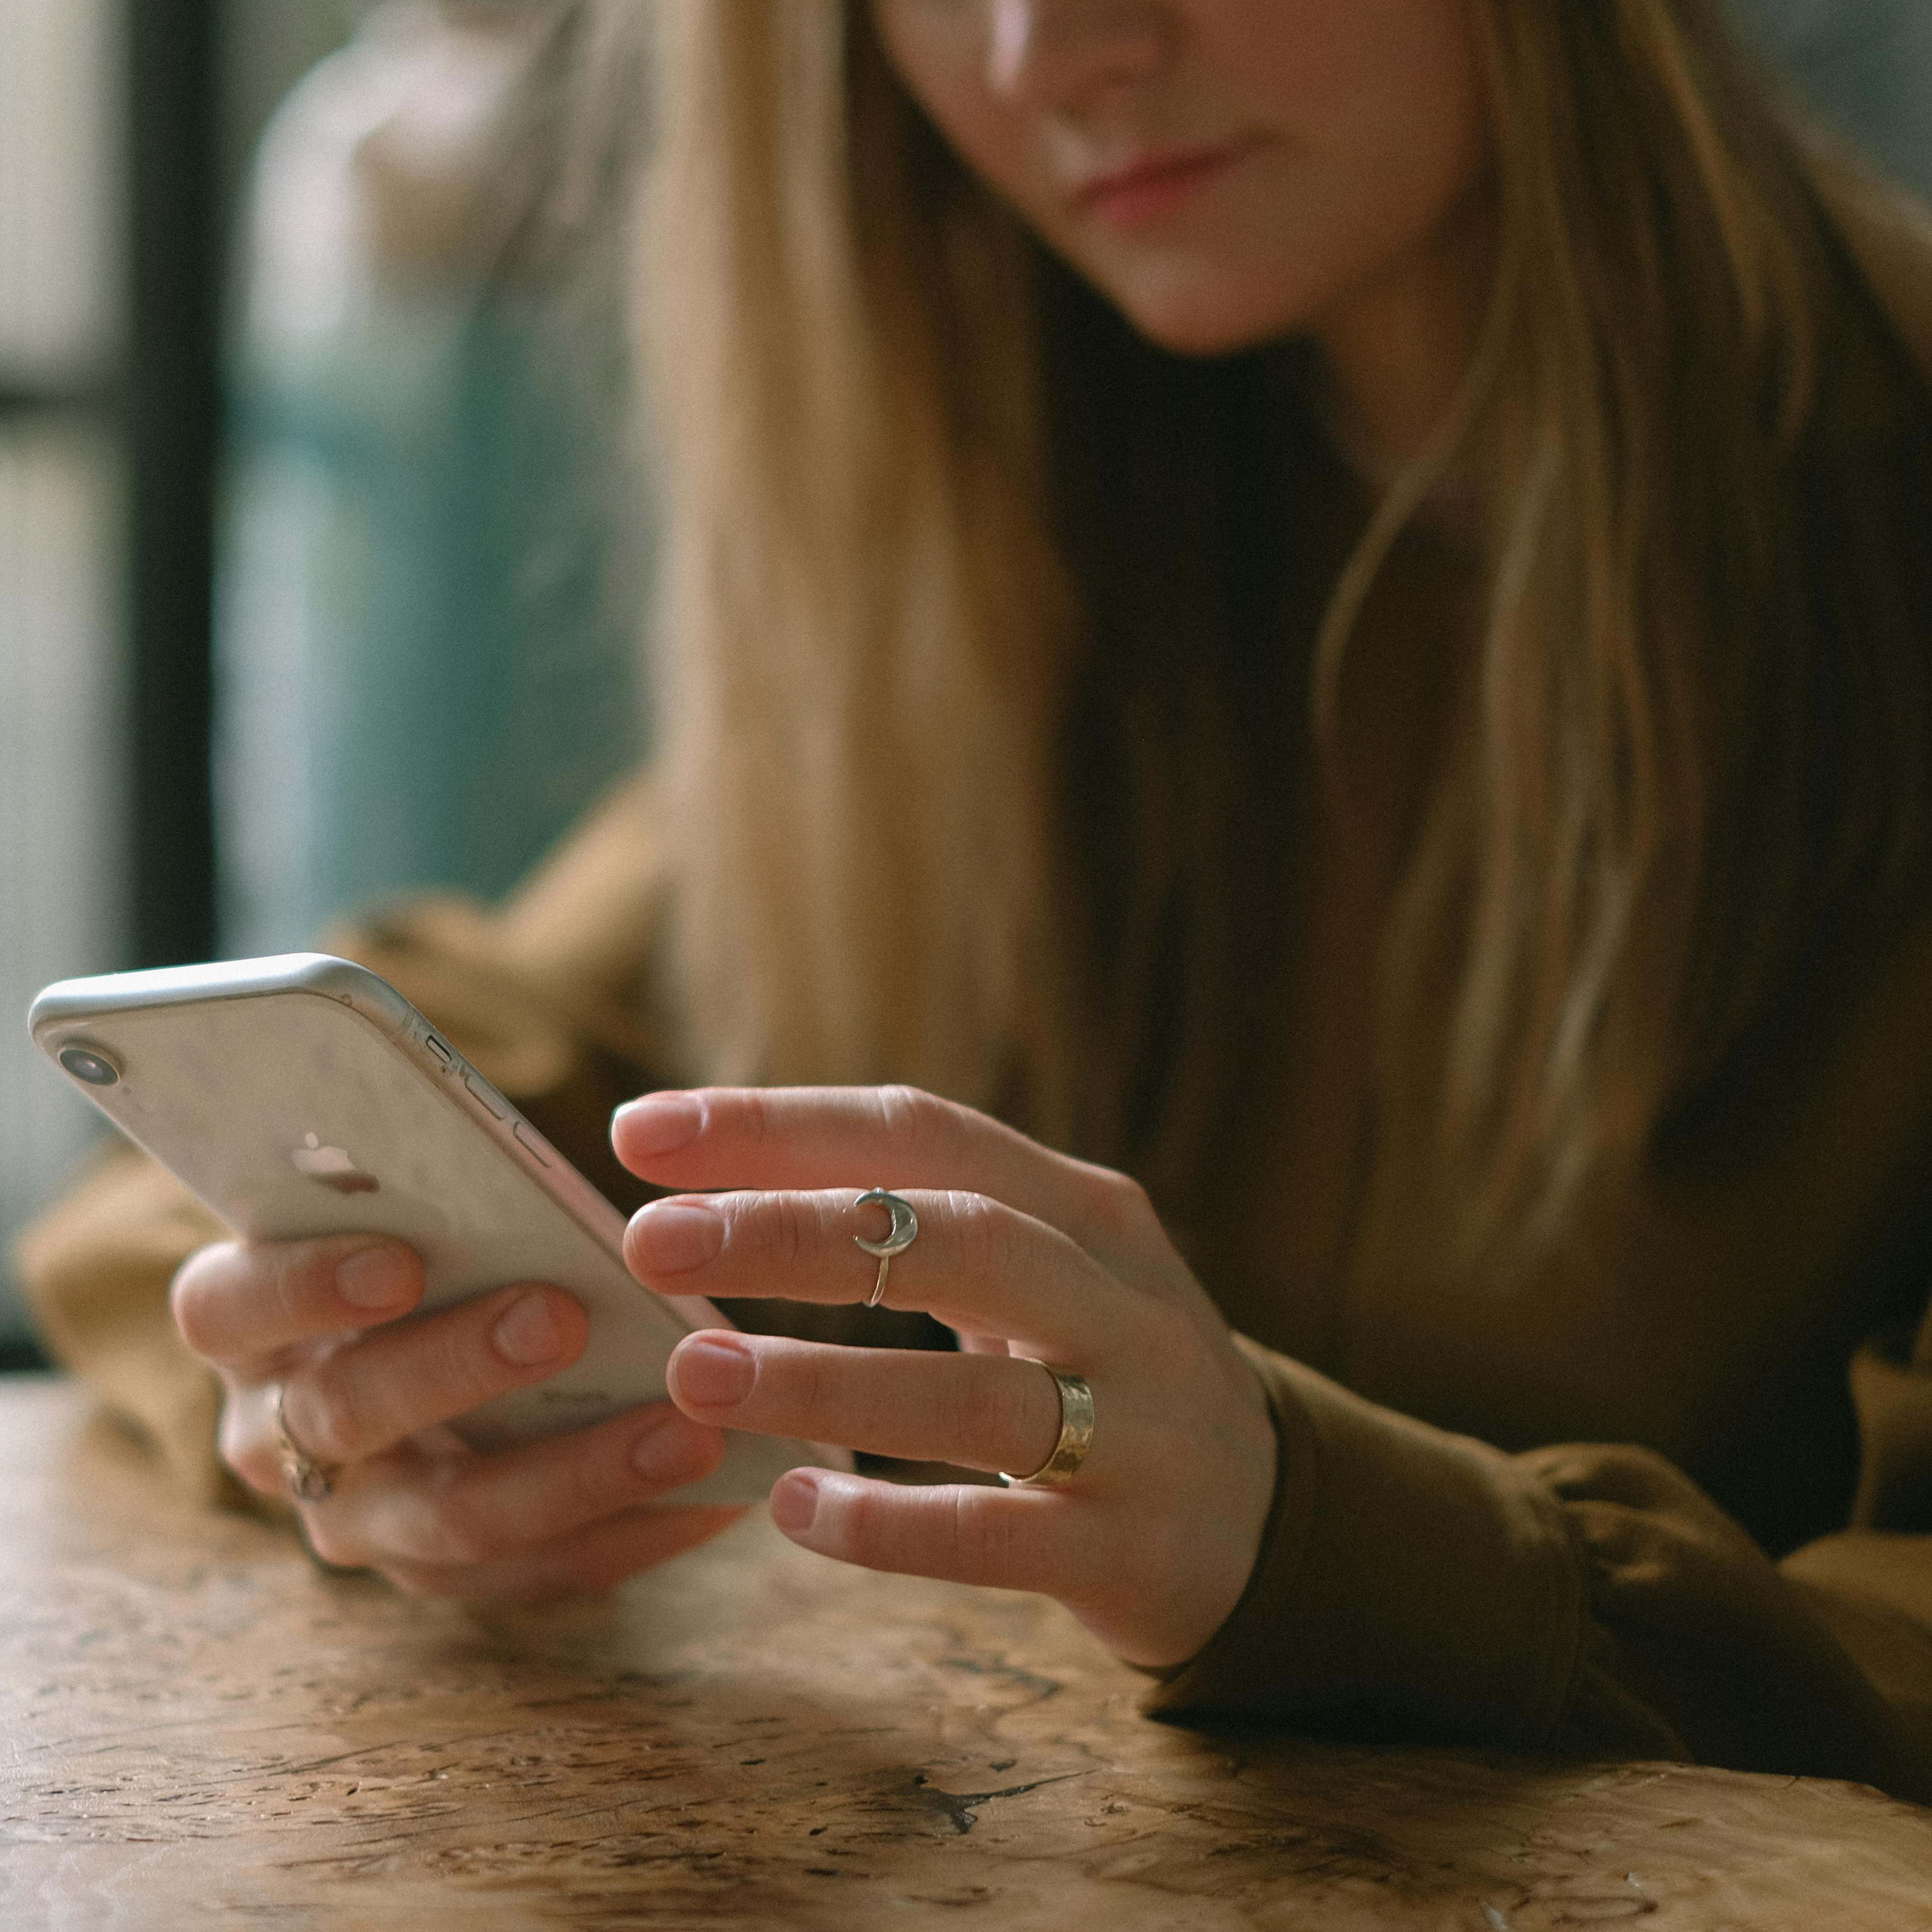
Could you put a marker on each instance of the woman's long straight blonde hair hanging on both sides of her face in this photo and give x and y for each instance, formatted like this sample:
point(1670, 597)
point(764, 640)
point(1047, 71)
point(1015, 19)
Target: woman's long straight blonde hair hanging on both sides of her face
point(957, 648)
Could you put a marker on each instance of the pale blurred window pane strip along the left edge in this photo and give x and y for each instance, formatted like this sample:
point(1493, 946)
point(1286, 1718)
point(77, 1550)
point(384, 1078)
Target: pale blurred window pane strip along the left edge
point(63, 714)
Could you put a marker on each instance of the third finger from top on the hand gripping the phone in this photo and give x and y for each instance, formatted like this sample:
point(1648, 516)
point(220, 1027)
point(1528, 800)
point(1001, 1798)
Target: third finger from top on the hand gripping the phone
point(469, 1510)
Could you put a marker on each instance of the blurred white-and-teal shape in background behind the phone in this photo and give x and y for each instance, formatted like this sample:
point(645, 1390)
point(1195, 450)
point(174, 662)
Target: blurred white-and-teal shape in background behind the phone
point(436, 546)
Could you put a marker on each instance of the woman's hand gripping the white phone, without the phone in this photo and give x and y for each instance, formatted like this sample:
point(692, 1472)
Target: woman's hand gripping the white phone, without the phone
point(368, 1388)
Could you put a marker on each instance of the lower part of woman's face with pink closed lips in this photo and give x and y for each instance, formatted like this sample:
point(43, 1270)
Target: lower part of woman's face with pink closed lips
point(1226, 171)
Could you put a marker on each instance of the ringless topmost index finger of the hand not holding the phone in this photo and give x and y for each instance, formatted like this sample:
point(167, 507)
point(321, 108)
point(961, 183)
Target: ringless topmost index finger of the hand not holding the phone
point(874, 1137)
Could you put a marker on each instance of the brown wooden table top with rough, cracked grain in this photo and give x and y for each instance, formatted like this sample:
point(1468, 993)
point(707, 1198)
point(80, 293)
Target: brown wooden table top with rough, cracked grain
point(202, 1726)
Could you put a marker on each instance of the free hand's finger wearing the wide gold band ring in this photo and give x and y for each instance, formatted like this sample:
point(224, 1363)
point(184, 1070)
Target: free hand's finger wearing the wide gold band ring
point(921, 1406)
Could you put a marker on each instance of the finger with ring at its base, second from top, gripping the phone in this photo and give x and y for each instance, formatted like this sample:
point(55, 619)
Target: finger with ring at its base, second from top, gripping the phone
point(366, 1398)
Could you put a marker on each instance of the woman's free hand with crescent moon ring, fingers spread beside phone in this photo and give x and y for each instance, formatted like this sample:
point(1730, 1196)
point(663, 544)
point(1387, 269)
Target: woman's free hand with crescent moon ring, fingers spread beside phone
point(1025, 1253)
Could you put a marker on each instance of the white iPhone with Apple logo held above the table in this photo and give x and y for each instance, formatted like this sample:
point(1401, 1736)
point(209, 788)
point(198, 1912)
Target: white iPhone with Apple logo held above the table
point(306, 1096)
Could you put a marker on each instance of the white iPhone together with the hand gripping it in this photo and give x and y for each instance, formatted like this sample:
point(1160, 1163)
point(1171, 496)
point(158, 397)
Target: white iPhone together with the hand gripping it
point(424, 1293)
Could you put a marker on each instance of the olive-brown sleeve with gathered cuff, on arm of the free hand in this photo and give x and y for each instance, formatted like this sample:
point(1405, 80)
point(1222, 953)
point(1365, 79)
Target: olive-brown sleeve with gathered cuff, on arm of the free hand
point(1579, 1599)
